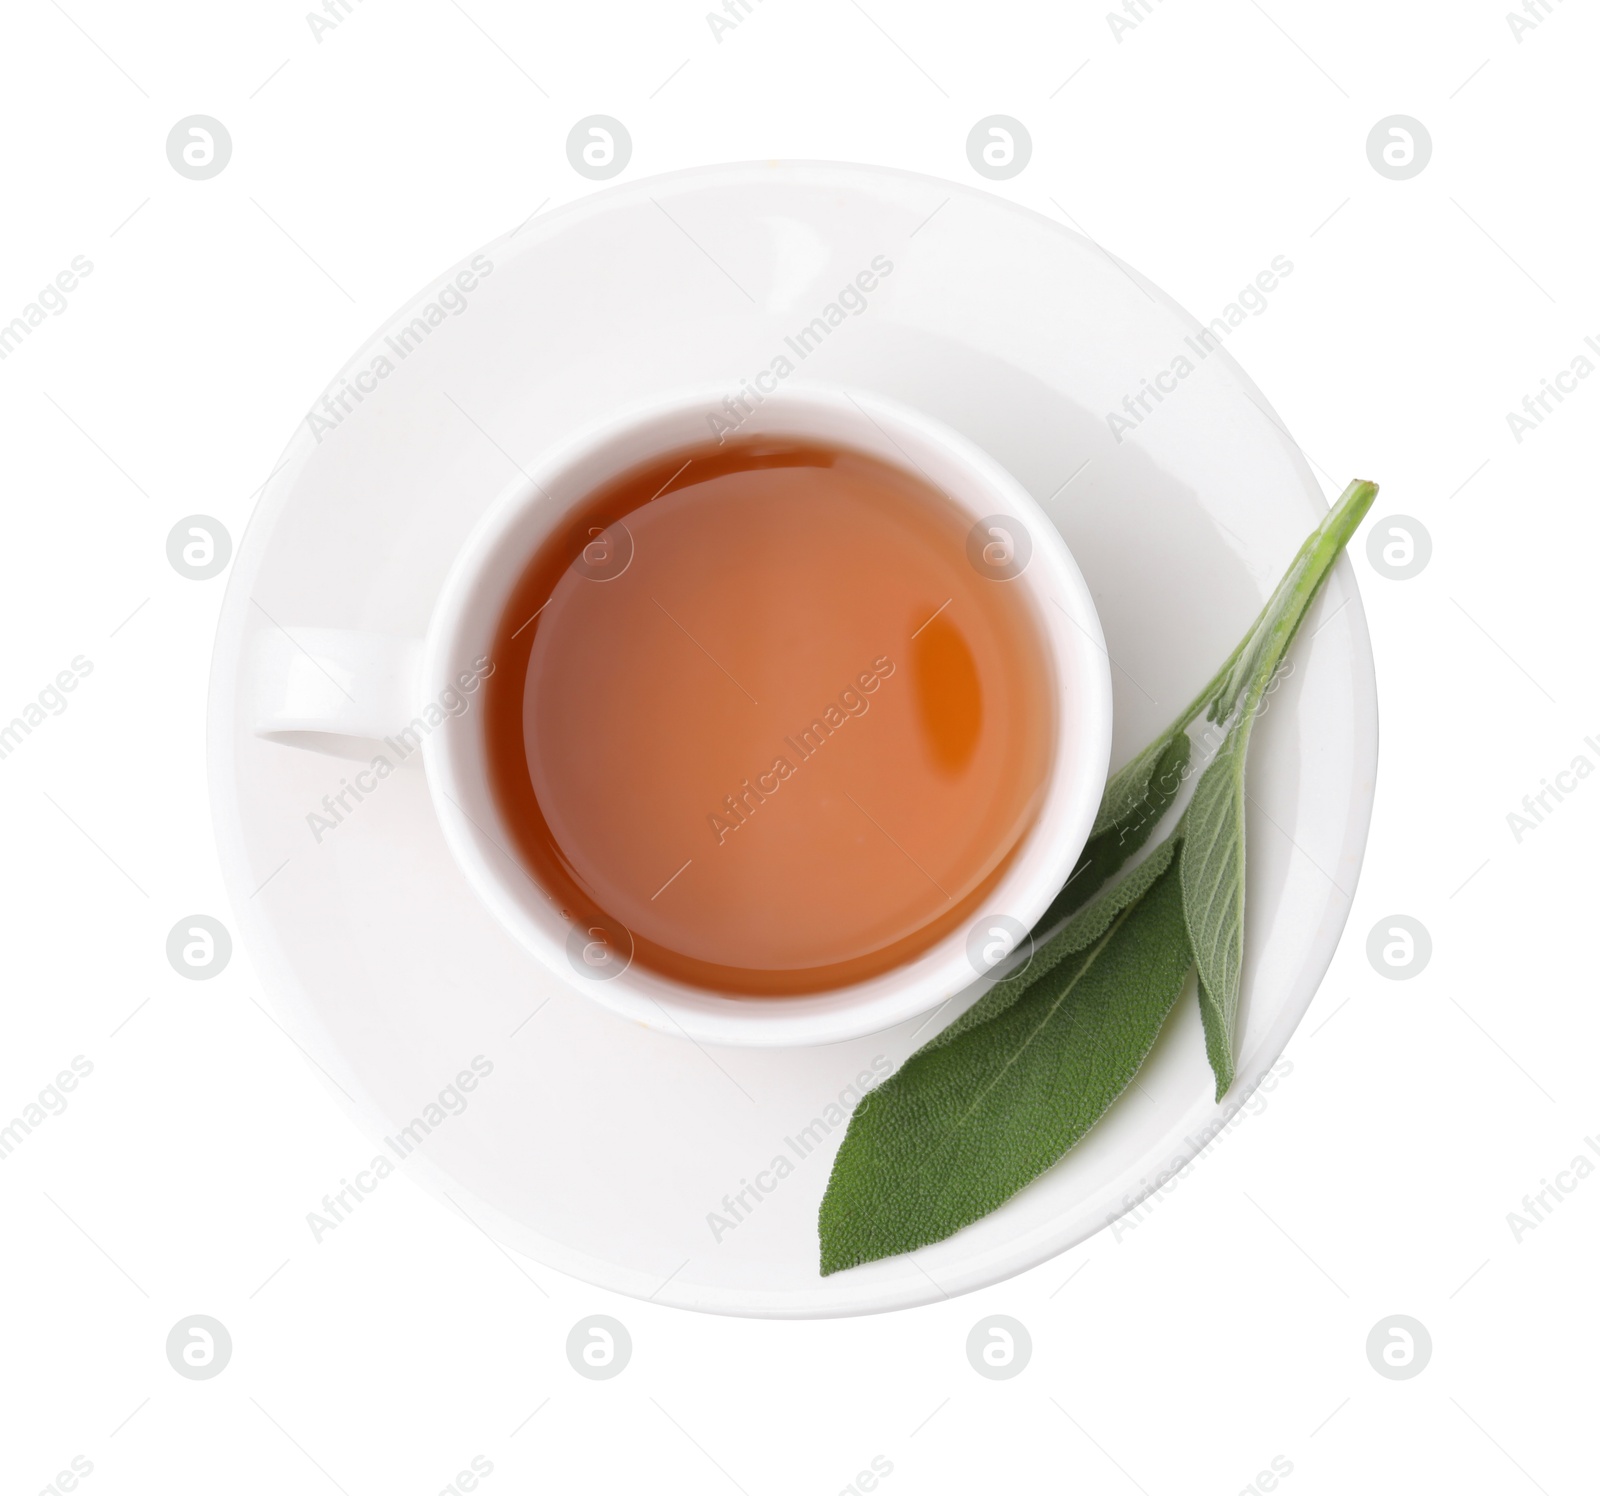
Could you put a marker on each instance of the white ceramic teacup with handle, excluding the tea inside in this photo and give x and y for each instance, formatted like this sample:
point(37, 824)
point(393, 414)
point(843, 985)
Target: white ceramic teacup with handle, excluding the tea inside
point(322, 687)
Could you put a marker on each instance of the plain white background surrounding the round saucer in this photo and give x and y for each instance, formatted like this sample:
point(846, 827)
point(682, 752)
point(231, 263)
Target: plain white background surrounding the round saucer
point(1182, 1358)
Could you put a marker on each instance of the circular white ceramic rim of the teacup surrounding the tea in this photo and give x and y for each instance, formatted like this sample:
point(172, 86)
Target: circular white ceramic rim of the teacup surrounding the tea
point(942, 972)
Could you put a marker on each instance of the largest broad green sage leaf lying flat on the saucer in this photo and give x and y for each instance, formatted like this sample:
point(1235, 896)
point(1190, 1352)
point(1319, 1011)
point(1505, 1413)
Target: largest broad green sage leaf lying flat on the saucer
point(966, 1124)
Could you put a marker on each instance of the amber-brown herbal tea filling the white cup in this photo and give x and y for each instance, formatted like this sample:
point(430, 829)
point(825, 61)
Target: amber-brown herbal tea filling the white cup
point(758, 706)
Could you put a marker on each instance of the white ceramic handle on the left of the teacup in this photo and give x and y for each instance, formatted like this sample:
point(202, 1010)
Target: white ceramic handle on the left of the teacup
point(319, 689)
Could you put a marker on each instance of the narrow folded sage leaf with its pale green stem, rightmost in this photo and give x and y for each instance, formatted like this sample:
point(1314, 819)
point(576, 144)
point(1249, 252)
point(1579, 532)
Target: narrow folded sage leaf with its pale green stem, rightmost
point(1214, 858)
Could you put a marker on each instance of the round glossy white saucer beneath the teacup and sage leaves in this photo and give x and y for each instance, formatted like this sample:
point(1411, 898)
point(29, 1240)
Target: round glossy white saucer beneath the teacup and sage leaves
point(596, 1146)
